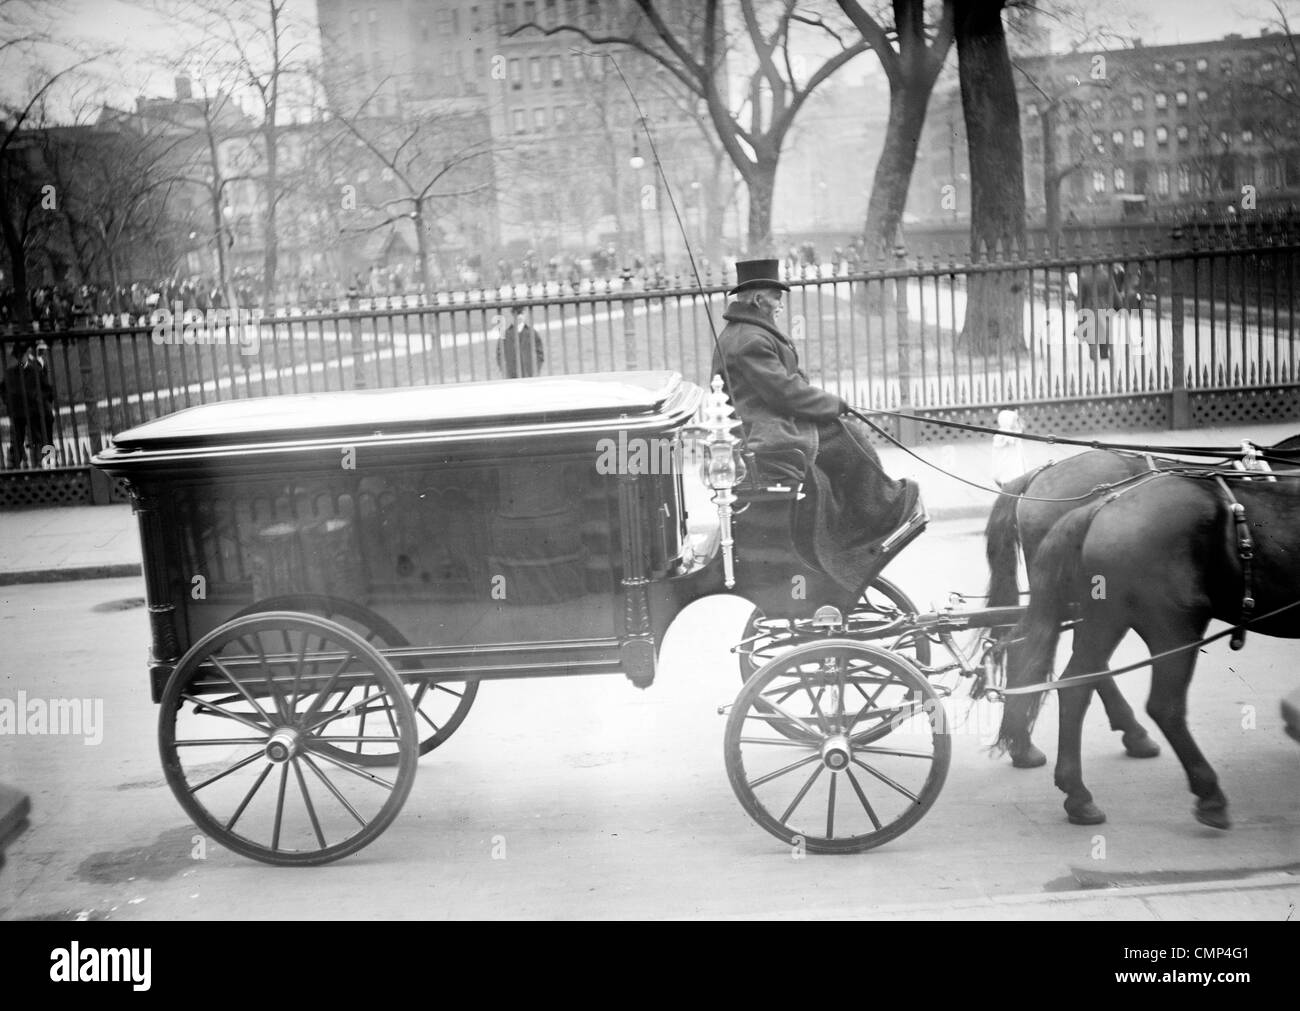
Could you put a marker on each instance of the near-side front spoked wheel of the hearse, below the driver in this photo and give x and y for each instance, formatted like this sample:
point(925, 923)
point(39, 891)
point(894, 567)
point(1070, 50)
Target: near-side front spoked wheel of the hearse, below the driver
point(837, 747)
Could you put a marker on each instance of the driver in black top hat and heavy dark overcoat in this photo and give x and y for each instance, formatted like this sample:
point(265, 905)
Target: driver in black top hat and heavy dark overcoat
point(792, 427)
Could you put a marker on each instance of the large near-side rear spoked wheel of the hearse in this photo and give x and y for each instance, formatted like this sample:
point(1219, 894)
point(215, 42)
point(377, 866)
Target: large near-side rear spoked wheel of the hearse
point(257, 723)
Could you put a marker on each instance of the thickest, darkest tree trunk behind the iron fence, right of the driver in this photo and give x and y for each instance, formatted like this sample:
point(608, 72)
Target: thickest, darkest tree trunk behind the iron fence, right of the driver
point(993, 115)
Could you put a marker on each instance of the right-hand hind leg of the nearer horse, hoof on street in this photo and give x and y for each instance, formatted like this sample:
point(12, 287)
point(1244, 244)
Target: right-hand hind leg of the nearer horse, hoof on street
point(1168, 708)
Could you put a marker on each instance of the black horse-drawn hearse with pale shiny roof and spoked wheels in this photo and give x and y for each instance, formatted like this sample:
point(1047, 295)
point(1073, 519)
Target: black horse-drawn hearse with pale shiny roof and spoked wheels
point(331, 578)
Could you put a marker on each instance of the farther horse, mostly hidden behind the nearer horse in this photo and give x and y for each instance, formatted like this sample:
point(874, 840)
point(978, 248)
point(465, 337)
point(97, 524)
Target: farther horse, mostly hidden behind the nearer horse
point(1024, 514)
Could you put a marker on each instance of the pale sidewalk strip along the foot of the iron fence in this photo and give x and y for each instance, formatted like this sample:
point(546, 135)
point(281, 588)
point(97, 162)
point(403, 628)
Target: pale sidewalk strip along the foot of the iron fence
point(93, 543)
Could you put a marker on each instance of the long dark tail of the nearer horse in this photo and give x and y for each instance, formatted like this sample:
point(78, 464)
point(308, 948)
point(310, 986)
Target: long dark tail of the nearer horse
point(1055, 578)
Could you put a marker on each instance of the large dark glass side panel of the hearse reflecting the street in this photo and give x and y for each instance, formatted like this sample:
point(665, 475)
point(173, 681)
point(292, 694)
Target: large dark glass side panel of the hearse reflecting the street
point(450, 557)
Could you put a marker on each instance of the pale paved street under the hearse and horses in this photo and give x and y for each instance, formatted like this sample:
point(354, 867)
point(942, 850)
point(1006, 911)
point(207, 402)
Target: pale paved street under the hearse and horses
point(587, 797)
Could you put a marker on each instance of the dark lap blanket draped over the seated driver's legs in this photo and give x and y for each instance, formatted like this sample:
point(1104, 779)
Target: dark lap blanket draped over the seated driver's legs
point(851, 506)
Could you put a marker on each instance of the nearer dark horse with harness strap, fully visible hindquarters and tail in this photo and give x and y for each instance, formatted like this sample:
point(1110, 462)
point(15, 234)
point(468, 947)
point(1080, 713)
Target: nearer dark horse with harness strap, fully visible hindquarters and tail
point(1165, 557)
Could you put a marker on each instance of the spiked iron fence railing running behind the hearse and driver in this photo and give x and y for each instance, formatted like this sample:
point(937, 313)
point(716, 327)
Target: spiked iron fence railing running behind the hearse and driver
point(916, 333)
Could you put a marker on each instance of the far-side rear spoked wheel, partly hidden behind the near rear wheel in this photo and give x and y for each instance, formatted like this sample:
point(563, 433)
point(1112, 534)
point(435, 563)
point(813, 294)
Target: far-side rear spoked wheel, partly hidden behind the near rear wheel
point(440, 709)
